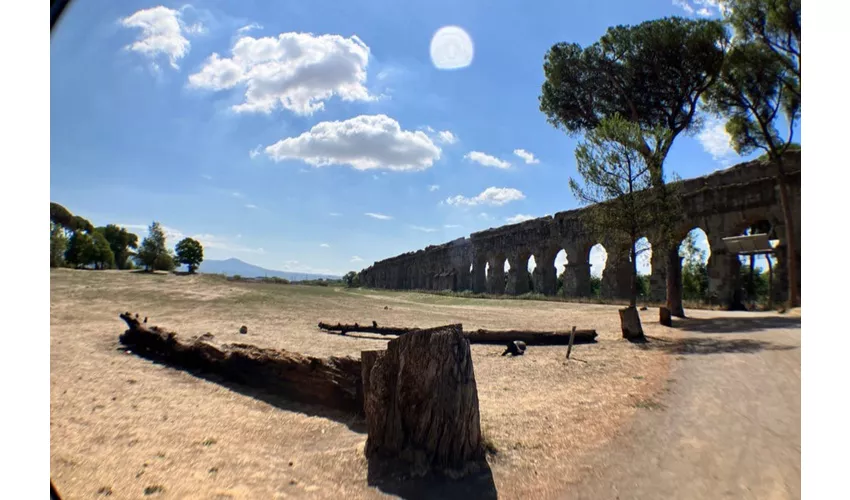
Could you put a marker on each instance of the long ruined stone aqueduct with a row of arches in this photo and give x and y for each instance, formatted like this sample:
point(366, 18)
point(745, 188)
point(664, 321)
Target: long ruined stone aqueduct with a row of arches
point(722, 204)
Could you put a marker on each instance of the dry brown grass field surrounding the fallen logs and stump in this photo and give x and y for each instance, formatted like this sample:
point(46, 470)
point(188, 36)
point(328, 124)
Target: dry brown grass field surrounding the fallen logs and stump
point(122, 423)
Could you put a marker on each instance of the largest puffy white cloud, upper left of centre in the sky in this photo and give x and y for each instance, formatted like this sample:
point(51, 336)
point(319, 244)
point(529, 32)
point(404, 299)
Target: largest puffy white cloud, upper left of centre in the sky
point(295, 71)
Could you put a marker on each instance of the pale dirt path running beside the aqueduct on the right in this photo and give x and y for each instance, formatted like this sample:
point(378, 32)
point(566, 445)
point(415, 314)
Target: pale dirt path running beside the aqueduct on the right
point(728, 425)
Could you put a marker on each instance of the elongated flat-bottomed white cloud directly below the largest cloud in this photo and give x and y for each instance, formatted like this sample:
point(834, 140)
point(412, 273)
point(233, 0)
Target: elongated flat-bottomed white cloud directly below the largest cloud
point(364, 142)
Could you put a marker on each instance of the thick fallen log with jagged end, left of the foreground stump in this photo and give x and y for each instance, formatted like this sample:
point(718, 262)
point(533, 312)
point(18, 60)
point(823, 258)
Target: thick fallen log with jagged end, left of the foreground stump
point(333, 382)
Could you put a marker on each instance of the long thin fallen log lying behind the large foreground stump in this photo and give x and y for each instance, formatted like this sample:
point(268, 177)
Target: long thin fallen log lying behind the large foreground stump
point(481, 336)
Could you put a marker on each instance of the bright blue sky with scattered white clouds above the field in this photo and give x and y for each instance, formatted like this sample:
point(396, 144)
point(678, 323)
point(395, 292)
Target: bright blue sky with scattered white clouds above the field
point(320, 136)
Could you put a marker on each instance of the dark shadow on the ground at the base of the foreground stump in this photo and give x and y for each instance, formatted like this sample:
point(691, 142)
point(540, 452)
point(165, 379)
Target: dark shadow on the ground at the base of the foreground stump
point(391, 478)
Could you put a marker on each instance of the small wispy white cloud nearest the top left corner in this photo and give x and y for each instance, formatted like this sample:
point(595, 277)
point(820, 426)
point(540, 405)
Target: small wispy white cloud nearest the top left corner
point(162, 34)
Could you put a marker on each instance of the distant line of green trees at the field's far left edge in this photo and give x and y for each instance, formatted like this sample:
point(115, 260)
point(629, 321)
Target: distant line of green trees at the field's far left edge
point(76, 243)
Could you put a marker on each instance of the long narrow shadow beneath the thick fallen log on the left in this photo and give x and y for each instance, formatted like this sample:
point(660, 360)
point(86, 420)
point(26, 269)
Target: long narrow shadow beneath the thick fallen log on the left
point(354, 422)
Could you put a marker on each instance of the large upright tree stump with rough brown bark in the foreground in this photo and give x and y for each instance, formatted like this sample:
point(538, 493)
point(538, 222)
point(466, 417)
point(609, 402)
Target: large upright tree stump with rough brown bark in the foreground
point(421, 402)
